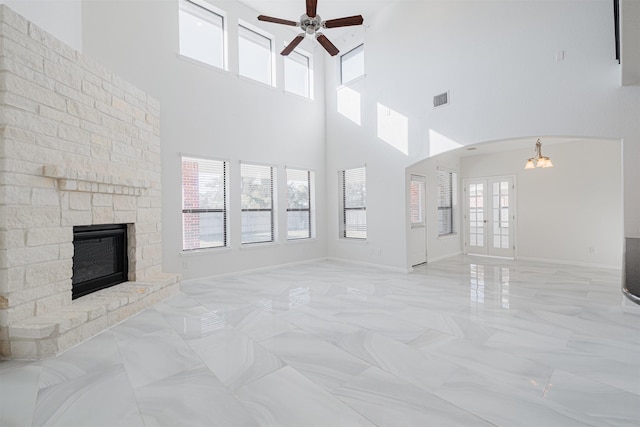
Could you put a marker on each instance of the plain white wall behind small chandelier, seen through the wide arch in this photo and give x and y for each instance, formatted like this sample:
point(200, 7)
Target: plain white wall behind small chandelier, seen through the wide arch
point(567, 212)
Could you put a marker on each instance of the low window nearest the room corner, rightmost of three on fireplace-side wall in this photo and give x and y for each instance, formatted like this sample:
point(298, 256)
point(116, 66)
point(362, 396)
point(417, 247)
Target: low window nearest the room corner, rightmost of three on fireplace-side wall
point(299, 219)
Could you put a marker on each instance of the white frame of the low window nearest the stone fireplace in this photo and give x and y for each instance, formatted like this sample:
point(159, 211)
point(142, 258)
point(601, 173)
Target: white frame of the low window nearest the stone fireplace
point(224, 210)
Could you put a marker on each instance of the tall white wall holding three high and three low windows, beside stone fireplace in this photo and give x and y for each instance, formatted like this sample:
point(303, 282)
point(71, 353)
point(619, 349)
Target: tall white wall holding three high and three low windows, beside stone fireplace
point(215, 114)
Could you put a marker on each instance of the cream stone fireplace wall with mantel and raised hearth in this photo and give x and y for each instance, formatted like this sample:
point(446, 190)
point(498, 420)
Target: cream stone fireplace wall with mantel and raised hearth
point(78, 146)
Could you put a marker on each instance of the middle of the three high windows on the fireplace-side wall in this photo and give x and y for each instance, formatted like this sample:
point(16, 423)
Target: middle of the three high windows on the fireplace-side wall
point(255, 55)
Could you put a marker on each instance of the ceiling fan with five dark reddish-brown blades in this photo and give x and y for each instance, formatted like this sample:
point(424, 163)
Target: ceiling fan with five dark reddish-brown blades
point(310, 23)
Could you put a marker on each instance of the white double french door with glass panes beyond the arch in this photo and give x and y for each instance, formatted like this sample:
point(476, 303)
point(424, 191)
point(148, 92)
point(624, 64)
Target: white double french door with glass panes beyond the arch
point(489, 216)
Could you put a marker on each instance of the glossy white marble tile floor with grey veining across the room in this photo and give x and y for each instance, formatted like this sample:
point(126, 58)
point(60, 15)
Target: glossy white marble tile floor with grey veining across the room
point(461, 342)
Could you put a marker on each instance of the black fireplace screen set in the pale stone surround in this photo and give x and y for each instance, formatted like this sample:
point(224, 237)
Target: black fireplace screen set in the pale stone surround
point(99, 259)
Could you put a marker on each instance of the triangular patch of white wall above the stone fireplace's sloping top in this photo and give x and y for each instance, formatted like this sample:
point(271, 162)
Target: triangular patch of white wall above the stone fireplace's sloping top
point(61, 18)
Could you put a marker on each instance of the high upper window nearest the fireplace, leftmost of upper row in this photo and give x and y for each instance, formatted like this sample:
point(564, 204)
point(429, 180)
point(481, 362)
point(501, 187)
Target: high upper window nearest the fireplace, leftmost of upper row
point(201, 33)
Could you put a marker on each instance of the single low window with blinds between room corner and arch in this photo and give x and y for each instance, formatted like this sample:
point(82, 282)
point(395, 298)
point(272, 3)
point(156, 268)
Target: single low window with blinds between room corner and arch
point(353, 201)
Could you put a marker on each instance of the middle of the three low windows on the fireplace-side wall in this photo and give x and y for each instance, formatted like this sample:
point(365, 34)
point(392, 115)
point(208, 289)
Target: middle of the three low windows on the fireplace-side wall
point(257, 203)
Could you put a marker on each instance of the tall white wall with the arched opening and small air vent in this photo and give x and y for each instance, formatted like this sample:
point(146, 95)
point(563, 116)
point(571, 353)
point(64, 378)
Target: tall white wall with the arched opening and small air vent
point(498, 60)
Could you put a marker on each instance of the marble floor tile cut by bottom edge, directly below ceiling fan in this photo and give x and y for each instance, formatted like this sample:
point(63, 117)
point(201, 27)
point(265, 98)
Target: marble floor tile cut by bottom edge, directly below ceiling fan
point(287, 398)
